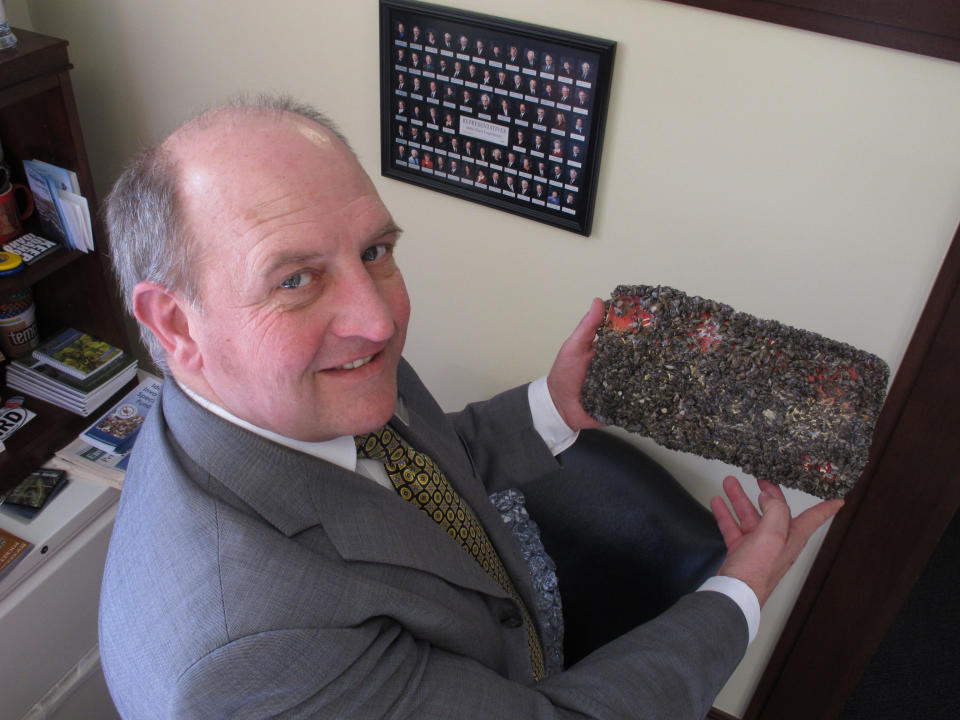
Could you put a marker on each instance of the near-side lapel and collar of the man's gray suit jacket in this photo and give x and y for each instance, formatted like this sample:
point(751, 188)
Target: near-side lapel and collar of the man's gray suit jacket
point(304, 492)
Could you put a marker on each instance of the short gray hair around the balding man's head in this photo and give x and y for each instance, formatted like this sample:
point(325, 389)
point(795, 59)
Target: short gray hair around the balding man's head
point(149, 236)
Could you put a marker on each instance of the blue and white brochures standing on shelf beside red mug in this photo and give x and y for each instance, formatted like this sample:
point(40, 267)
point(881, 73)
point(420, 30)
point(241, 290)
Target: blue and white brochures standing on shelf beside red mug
point(64, 212)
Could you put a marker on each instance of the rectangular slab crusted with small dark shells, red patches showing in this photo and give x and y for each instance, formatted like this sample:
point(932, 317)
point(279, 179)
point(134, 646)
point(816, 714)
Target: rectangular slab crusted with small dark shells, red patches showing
point(783, 404)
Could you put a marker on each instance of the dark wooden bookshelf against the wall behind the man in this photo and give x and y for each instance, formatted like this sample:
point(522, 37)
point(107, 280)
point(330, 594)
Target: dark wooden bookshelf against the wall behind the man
point(38, 119)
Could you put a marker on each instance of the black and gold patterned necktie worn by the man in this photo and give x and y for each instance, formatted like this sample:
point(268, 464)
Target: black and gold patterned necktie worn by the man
point(419, 480)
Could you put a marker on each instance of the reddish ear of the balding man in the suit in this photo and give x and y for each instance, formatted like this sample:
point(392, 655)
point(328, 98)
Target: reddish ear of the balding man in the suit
point(166, 316)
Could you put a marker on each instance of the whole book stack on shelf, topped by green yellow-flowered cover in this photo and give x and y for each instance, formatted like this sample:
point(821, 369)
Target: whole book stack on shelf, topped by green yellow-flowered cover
point(74, 371)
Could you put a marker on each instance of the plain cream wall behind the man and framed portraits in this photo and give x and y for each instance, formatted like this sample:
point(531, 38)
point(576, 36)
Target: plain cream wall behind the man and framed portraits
point(792, 175)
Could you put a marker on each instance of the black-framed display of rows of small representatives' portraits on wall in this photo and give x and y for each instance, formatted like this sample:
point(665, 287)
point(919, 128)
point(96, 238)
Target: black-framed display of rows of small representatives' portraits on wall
point(485, 125)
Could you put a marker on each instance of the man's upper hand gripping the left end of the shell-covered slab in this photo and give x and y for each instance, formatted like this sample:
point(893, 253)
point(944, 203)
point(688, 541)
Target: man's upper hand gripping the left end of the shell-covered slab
point(569, 370)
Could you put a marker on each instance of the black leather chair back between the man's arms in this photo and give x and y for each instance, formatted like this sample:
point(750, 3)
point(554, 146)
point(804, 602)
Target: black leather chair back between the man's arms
point(627, 539)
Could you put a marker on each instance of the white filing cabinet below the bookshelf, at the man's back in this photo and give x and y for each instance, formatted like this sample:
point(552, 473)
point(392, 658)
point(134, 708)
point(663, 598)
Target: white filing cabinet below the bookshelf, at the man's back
point(49, 662)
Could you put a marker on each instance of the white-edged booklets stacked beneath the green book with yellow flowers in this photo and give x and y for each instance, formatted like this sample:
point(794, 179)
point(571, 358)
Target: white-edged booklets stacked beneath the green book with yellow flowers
point(83, 397)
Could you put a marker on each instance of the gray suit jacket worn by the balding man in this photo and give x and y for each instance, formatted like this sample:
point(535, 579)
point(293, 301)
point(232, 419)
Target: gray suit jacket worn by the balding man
point(245, 579)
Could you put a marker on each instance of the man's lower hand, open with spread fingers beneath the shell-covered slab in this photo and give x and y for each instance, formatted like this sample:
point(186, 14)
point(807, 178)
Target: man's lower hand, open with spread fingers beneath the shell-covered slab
point(763, 544)
